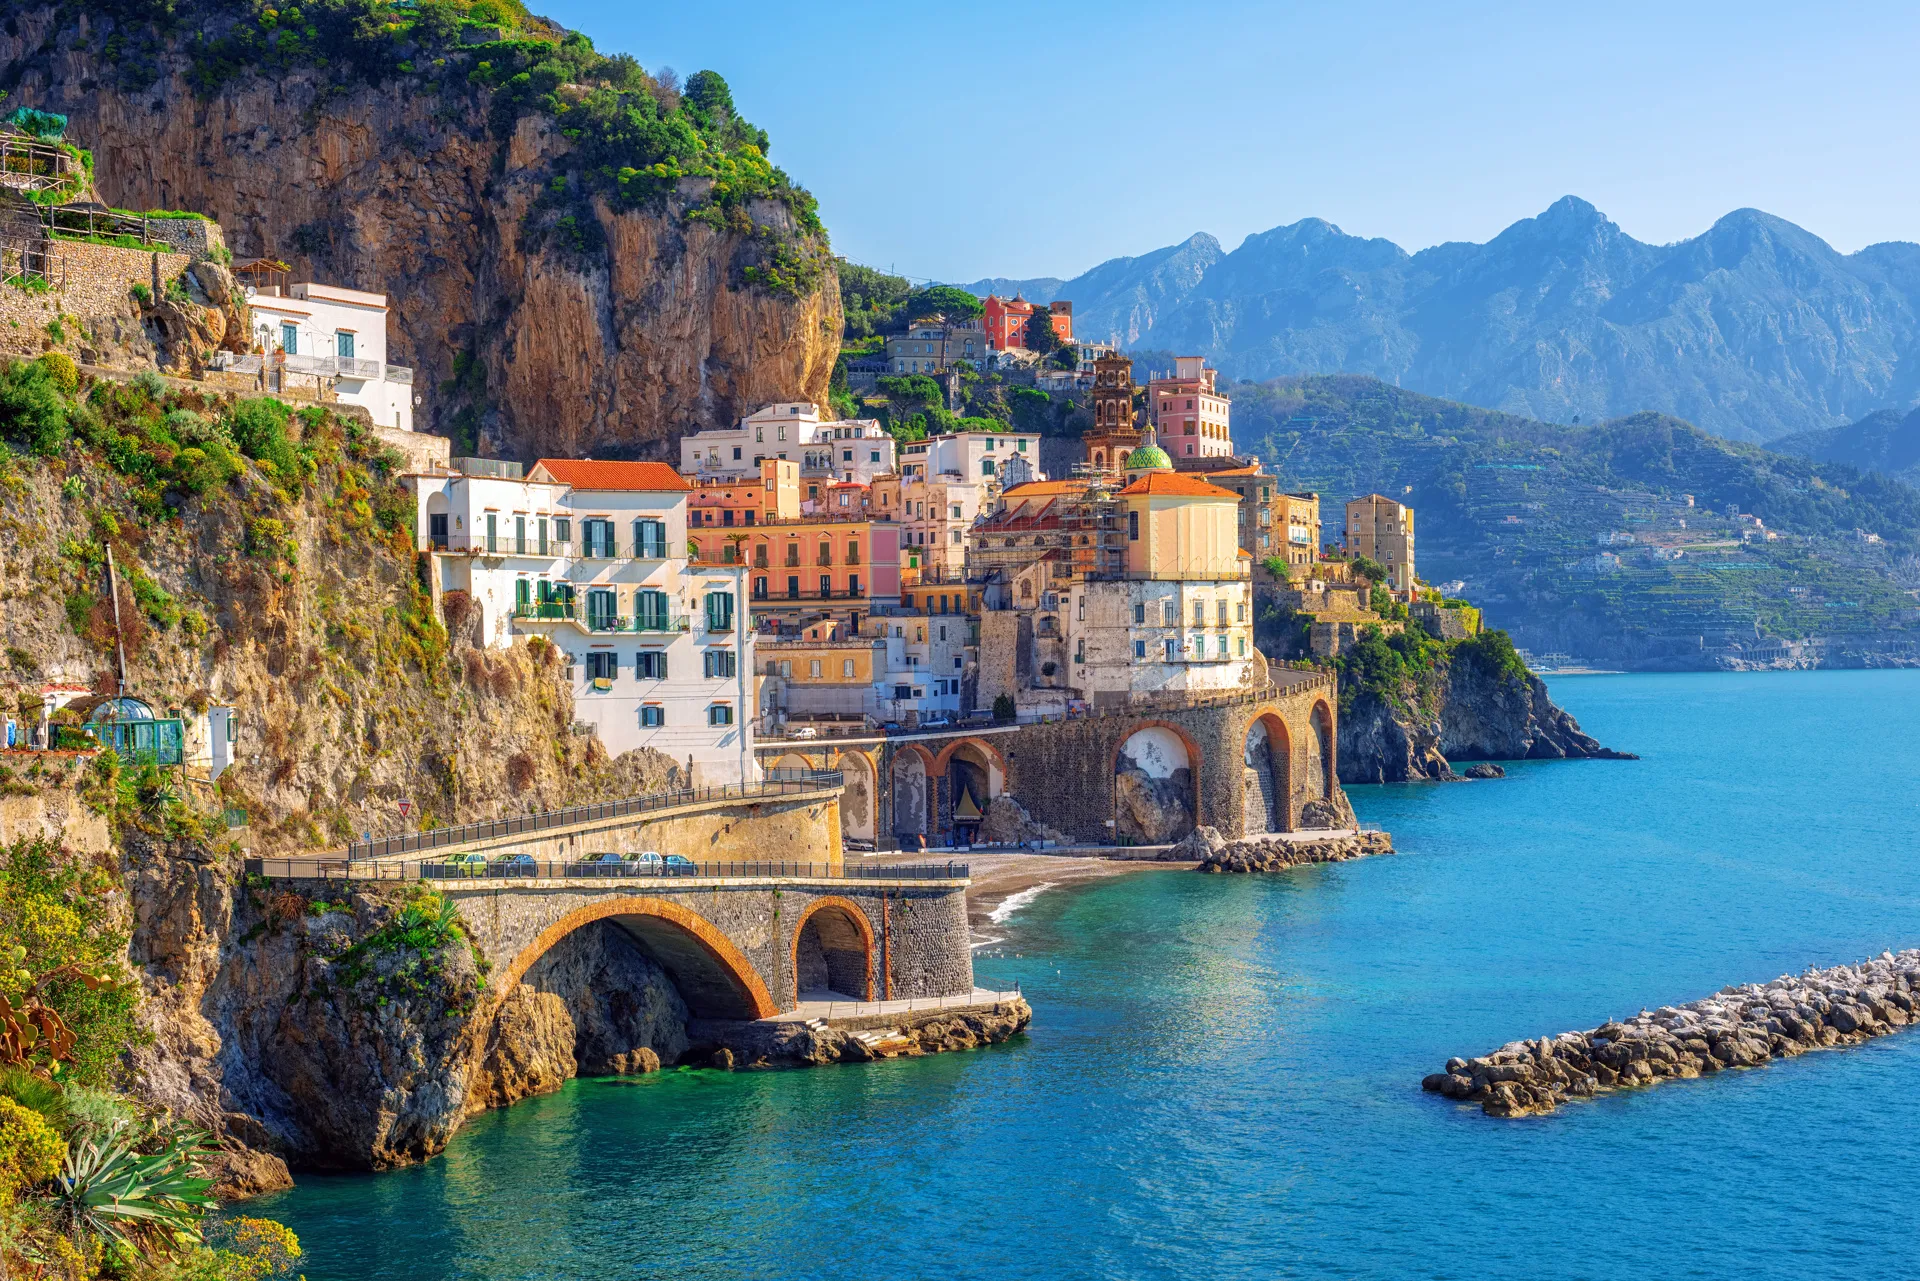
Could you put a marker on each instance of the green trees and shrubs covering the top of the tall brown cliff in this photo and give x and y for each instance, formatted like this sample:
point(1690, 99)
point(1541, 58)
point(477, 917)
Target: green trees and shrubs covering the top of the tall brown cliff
point(635, 135)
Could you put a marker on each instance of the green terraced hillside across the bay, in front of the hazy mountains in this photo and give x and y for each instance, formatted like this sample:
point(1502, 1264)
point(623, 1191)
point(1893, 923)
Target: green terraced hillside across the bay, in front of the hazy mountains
point(1608, 541)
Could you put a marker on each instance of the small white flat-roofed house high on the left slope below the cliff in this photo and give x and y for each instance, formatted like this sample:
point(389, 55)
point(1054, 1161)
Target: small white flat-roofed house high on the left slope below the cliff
point(335, 333)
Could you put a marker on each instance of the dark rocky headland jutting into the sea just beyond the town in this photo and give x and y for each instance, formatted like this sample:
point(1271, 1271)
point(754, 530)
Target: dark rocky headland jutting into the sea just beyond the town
point(1470, 713)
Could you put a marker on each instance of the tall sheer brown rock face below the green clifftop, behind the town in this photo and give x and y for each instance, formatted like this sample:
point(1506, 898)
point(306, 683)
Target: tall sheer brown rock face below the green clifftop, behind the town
point(610, 352)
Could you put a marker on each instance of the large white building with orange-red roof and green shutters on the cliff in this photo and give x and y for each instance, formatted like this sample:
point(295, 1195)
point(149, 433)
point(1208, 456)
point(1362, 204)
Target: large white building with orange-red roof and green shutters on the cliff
point(594, 558)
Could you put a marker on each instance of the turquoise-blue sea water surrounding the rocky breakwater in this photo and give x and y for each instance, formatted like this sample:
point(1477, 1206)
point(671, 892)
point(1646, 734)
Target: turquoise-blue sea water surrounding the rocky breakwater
point(1224, 1073)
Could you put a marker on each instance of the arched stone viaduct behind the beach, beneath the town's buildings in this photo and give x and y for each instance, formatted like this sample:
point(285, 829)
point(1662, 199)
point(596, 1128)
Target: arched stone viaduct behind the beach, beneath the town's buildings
point(1243, 761)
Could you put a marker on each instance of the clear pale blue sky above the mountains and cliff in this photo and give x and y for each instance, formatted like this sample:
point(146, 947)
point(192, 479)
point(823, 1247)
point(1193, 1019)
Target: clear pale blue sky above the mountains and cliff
point(959, 141)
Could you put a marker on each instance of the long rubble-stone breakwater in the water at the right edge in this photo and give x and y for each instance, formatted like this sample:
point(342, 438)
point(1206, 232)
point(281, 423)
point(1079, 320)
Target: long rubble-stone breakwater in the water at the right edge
point(1735, 1028)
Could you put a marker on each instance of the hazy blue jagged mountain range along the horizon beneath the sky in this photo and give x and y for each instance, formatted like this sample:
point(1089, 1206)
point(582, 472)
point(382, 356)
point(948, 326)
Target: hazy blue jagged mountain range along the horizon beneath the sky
point(1756, 329)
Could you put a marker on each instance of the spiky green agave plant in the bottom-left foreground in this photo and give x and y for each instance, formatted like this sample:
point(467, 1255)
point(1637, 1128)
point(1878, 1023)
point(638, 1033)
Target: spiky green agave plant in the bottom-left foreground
point(151, 1201)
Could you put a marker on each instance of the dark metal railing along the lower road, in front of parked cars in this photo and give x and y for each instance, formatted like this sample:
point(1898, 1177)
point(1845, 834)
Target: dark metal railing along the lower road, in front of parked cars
point(525, 867)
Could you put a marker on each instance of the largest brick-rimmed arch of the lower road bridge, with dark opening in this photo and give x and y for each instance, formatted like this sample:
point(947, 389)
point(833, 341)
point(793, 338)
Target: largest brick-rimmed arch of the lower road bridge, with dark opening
point(709, 973)
